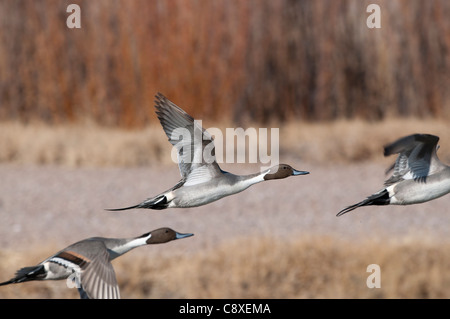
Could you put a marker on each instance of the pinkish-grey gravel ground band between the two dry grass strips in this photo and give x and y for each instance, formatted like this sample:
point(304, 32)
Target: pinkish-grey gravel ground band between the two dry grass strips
point(49, 205)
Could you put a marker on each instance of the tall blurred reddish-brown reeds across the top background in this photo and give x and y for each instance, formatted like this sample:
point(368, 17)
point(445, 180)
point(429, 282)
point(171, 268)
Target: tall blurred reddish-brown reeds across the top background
point(239, 60)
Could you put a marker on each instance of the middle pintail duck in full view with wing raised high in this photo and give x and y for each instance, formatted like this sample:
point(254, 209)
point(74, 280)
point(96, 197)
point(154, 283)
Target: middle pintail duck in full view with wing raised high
point(202, 179)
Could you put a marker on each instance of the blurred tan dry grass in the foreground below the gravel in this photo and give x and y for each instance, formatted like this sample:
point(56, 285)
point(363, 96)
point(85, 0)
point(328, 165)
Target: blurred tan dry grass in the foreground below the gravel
point(301, 267)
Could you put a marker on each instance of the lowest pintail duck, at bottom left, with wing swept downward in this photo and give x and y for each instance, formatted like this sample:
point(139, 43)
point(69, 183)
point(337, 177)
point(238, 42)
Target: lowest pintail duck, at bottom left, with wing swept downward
point(88, 263)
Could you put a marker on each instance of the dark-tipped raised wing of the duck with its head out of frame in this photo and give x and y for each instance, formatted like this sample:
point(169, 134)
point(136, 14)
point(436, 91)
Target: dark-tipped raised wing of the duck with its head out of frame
point(417, 158)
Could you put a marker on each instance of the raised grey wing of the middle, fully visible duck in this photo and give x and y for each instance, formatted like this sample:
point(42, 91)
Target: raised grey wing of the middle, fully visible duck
point(195, 146)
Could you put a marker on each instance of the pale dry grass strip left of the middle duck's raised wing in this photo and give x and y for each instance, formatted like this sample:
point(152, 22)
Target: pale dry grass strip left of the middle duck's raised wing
point(80, 145)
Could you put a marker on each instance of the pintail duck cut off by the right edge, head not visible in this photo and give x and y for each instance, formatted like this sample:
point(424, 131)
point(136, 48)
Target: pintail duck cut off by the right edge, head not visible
point(418, 174)
